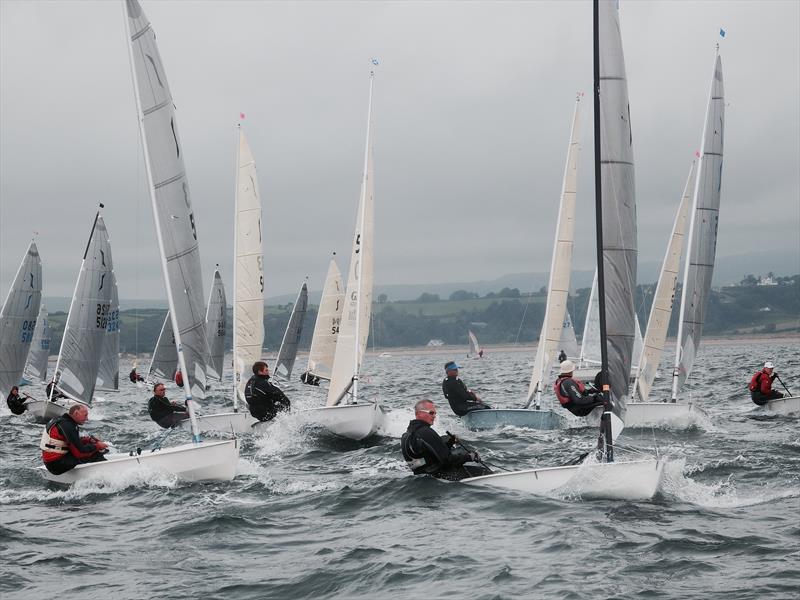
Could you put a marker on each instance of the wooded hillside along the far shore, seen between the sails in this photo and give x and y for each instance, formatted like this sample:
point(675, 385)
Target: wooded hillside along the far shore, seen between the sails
point(505, 317)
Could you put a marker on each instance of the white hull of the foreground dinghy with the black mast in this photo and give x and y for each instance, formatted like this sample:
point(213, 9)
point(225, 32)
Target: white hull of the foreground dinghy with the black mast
point(636, 480)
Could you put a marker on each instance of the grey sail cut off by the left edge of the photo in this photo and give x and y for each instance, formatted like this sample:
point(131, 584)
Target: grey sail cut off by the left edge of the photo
point(18, 318)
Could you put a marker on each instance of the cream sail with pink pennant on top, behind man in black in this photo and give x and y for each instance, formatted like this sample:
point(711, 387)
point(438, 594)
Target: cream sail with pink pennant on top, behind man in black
point(248, 271)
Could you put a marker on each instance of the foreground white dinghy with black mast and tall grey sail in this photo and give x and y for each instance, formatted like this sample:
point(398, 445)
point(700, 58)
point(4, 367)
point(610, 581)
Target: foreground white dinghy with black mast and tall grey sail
point(616, 232)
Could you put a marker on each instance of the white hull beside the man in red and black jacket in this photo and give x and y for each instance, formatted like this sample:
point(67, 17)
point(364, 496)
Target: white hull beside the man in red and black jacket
point(204, 461)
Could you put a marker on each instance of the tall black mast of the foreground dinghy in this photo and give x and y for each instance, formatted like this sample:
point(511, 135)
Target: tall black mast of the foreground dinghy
point(605, 421)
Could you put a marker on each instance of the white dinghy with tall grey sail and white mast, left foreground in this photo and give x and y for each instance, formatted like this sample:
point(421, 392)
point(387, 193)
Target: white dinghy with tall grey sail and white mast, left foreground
point(180, 262)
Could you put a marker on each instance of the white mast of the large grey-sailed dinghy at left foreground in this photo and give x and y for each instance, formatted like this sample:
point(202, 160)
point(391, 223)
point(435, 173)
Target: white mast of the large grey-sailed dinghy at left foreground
point(187, 388)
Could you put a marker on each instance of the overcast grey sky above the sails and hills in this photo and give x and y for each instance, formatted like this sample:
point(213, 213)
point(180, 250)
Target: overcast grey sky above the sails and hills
point(472, 106)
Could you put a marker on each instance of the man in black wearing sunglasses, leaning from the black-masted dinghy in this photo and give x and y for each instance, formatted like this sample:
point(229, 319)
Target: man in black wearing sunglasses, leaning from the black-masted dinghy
point(427, 453)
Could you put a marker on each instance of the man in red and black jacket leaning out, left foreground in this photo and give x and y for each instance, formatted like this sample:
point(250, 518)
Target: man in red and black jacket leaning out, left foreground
point(63, 447)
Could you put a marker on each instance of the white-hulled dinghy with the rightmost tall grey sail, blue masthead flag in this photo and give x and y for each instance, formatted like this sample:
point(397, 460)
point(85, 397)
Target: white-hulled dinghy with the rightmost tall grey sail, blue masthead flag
point(701, 246)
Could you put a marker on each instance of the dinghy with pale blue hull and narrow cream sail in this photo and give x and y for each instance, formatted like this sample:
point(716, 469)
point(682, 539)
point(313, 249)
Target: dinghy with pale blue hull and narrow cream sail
point(532, 415)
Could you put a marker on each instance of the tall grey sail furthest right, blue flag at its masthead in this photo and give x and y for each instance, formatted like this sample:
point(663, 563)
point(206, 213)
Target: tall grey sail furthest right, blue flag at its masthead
point(702, 239)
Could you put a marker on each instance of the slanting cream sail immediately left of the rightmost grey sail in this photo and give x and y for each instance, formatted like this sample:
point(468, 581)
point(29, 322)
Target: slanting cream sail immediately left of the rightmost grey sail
point(663, 298)
